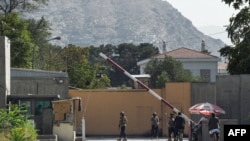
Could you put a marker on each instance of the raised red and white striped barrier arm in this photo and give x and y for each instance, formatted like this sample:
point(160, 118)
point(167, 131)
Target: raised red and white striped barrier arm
point(144, 86)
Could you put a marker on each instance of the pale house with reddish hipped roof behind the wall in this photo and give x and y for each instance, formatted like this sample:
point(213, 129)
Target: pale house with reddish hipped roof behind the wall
point(198, 63)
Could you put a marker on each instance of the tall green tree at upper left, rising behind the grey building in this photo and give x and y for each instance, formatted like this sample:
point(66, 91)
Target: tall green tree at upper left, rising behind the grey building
point(27, 36)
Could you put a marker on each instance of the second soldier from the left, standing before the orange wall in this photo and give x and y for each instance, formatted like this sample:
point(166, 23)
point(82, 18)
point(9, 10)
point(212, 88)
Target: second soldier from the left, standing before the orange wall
point(155, 121)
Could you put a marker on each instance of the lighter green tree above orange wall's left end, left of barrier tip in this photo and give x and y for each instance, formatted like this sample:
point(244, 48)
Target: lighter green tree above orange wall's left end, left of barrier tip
point(83, 74)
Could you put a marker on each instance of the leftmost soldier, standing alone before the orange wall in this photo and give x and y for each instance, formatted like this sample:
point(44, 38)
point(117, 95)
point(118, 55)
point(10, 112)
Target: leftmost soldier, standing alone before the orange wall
point(122, 126)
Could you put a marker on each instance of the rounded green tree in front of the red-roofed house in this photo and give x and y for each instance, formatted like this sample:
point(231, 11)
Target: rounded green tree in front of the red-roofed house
point(166, 70)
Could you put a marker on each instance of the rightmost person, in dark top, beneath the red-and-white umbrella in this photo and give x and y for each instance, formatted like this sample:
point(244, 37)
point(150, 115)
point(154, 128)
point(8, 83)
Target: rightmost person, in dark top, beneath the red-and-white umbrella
point(213, 126)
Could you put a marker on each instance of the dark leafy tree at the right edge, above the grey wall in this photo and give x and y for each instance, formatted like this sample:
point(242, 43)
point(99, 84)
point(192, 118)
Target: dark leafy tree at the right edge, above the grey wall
point(239, 33)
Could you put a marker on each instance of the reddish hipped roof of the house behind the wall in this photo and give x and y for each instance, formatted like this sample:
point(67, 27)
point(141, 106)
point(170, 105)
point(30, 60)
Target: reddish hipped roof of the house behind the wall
point(185, 53)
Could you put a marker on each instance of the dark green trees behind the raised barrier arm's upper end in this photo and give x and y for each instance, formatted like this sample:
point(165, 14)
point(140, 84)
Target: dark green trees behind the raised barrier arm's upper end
point(126, 55)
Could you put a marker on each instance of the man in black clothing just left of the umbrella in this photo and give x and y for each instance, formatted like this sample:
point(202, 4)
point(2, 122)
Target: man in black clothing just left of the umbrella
point(179, 126)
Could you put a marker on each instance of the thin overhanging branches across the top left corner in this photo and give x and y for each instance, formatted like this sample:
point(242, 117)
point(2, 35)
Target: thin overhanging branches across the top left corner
point(9, 6)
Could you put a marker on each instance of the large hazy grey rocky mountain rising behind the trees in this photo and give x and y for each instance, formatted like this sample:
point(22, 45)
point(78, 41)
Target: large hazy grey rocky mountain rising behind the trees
point(96, 22)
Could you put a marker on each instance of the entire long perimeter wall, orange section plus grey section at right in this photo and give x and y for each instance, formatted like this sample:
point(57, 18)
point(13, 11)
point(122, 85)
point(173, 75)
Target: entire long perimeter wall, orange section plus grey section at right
point(229, 92)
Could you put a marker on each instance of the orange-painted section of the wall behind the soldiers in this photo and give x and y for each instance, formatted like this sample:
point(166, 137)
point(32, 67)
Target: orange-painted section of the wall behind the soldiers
point(101, 108)
